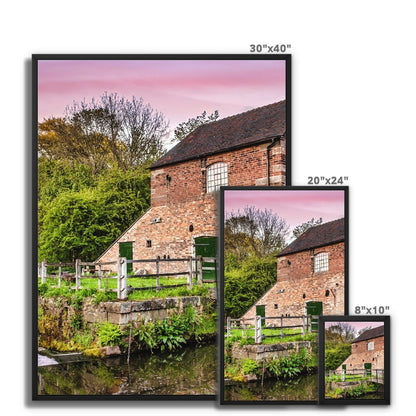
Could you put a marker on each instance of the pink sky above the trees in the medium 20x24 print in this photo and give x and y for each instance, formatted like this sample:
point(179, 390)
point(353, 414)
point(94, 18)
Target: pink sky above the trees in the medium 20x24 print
point(295, 206)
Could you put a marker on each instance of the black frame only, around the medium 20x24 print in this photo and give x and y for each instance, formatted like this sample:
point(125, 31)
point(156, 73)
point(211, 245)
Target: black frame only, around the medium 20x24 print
point(345, 190)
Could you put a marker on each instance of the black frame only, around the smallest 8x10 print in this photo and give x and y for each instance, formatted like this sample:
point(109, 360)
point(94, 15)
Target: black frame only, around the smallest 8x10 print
point(322, 371)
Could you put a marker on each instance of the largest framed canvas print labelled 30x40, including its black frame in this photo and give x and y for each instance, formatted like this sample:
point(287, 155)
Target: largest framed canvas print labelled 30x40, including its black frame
point(129, 153)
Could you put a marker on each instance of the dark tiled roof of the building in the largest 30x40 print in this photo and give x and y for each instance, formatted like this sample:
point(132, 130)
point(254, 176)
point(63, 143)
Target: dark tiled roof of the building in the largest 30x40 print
point(254, 126)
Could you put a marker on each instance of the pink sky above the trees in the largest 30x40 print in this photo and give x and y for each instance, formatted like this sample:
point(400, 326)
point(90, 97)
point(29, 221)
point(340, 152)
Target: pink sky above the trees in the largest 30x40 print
point(178, 89)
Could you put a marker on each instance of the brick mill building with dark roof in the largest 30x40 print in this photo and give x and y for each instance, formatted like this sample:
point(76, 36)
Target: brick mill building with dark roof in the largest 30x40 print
point(246, 149)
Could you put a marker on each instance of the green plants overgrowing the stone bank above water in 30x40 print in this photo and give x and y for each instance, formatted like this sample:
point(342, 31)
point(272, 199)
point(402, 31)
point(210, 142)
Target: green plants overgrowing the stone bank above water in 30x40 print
point(65, 330)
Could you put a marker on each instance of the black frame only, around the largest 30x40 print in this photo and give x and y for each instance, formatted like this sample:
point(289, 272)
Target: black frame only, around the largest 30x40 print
point(36, 58)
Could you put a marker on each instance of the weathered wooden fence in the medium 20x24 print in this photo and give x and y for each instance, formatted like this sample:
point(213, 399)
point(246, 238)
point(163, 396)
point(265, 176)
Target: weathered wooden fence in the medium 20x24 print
point(258, 323)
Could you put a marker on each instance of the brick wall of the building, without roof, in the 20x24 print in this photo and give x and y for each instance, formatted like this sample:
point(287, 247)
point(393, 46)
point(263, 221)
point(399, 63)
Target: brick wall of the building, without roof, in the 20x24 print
point(297, 284)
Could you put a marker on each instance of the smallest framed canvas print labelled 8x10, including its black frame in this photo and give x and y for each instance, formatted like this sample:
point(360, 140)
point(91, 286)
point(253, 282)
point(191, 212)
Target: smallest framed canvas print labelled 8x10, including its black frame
point(354, 360)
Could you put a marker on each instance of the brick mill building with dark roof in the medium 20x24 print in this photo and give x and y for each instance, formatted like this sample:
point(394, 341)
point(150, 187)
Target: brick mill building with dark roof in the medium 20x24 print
point(310, 276)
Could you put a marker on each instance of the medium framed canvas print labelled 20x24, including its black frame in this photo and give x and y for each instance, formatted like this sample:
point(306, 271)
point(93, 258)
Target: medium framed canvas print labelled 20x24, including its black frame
point(285, 256)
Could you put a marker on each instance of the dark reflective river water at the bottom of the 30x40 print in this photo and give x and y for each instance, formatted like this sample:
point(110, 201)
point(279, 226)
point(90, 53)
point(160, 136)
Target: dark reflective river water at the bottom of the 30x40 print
point(191, 371)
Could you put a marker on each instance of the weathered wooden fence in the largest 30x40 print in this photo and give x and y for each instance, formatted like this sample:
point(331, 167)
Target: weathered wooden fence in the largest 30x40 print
point(93, 270)
